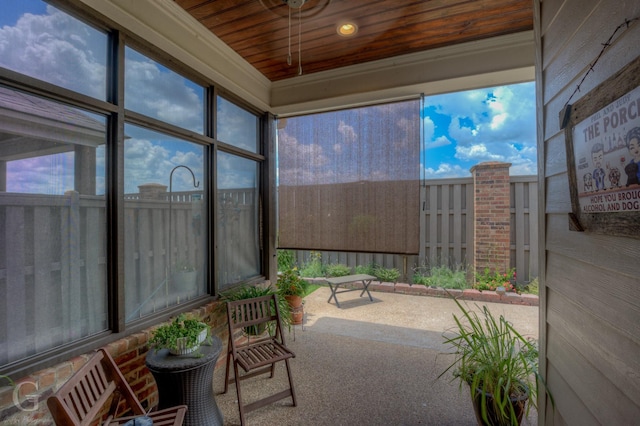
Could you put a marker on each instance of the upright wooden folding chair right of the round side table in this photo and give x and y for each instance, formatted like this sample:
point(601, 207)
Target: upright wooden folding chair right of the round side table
point(256, 355)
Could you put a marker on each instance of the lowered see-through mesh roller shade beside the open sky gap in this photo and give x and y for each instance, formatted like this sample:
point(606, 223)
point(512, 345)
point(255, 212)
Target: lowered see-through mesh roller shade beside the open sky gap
point(350, 180)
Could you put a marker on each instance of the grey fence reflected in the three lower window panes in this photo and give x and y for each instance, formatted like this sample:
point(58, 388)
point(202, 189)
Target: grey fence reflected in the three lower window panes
point(53, 259)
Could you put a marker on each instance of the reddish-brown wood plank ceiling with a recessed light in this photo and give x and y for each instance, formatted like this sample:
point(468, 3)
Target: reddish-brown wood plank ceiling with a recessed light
point(259, 30)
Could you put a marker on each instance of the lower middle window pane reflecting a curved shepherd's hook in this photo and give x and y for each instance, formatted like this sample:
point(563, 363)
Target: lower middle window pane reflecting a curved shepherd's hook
point(165, 227)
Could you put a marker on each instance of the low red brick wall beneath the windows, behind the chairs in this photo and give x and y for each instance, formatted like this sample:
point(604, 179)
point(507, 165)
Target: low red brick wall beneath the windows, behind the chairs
point(25, 403)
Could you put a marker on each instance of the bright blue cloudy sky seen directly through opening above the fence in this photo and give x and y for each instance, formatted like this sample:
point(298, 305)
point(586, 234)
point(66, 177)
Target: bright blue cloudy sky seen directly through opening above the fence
point(492, 124)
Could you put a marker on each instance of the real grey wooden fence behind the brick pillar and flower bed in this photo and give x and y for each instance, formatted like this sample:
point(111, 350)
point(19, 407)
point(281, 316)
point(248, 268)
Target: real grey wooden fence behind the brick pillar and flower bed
point(447, 230)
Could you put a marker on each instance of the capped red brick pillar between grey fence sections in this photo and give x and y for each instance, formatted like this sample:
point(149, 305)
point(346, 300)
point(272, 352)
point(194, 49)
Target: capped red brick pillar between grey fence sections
point(492, 216)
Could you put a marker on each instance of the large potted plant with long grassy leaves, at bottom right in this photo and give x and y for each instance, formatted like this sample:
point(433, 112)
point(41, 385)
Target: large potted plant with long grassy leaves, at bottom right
point(499, 365)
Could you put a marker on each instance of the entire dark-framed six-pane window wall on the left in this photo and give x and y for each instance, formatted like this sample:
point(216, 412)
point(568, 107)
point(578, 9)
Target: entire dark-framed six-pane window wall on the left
point(89, 189)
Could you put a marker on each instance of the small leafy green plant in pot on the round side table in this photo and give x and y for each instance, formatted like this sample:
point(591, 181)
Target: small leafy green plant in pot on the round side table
point(181, 336)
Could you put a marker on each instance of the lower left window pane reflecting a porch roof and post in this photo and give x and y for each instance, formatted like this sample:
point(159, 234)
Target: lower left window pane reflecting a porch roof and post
point(53, 271)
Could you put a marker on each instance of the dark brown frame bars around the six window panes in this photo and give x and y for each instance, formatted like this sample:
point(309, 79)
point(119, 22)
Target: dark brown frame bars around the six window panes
point(113, 108)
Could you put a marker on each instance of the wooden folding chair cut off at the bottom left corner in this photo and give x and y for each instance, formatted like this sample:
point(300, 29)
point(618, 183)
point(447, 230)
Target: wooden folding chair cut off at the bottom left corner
point(82, 399)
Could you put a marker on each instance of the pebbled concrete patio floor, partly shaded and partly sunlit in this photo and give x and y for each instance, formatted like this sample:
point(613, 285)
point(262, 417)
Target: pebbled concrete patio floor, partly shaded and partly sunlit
point(369, 363)
